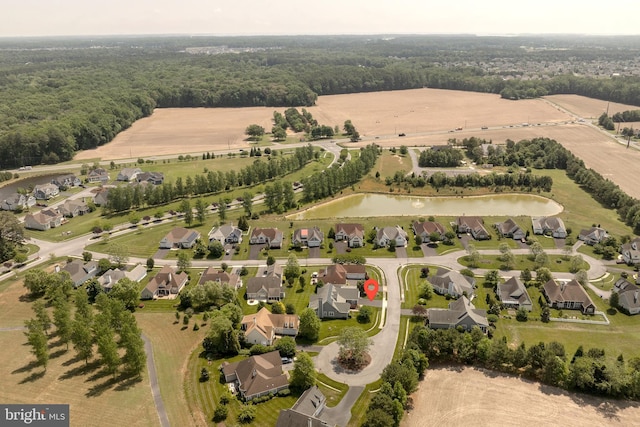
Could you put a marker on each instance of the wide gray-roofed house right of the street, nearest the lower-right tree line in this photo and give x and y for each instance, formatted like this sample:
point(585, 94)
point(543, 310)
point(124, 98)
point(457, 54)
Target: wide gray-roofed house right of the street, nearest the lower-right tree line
point(460, 314)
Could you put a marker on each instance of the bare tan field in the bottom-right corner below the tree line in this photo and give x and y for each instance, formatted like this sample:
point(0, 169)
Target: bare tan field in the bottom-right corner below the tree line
point(469, 397)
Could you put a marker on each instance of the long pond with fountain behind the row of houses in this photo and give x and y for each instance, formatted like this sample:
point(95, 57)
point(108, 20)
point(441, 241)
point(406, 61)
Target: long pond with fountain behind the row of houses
point(367, 205)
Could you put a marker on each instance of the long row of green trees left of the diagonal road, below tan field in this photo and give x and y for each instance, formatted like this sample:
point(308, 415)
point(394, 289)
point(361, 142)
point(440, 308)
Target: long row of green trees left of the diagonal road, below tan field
point(124, 198)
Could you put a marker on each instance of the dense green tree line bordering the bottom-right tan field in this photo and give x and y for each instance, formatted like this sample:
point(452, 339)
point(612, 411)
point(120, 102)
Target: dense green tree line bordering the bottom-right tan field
point(586, 371)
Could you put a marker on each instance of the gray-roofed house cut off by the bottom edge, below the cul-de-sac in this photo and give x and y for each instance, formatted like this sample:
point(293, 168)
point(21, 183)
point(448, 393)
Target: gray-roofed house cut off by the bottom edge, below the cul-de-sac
point(306, 410)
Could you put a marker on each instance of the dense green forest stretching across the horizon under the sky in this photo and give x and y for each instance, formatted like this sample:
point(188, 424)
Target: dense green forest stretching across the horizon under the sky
point(64, 95)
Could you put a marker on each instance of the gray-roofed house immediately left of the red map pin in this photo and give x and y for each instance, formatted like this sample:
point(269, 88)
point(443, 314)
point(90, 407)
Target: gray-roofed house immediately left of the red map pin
point(334, 302)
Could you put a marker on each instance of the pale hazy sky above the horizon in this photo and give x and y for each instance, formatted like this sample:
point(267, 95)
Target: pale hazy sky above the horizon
point(237, 17)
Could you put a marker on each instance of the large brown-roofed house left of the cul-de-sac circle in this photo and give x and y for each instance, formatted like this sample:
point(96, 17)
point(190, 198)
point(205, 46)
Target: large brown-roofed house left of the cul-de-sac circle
point(256, 376)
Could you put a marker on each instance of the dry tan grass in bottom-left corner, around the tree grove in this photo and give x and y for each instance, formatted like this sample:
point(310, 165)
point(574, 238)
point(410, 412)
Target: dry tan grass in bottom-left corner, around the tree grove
point(93, 400)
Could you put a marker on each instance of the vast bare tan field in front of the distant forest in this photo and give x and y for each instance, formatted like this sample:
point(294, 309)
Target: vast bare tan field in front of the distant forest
point(426, 116)
